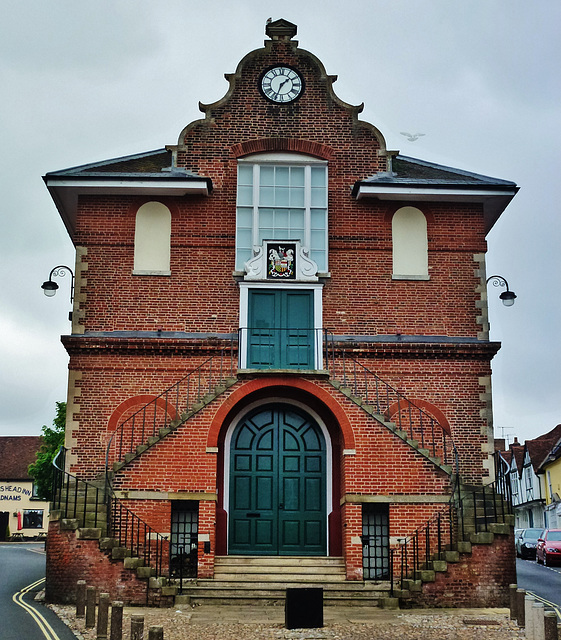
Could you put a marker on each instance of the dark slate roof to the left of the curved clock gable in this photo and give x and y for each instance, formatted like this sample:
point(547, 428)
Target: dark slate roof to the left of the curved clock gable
point(151, 164)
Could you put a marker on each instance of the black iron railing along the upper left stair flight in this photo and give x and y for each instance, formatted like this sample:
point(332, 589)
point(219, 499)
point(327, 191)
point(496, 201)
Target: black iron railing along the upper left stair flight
point(178, 400)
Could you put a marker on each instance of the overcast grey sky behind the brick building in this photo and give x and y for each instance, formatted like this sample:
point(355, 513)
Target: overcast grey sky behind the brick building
point(88, 81)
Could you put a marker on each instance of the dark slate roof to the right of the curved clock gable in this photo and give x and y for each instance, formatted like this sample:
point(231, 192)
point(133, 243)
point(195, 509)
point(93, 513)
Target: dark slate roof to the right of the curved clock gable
point(412, 171)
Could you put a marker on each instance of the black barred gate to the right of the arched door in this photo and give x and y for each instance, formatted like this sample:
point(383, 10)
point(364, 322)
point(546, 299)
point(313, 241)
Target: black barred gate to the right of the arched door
point(375, 542)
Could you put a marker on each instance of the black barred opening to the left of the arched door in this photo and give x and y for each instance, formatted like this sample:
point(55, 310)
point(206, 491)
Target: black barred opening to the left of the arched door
point(184, 539)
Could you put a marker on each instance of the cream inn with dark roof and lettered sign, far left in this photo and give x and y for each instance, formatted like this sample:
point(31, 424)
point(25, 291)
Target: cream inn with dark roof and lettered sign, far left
point(22, 514)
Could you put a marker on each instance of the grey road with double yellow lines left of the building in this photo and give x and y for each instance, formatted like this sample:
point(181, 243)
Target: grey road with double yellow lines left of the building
point(23, 564)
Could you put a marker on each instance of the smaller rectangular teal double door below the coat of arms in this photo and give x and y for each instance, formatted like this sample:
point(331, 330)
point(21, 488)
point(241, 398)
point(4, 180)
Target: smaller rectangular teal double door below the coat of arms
point(280, 332)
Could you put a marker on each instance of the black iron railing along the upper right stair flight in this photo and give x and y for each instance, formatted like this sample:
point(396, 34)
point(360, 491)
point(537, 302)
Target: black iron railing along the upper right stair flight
point(392, 404)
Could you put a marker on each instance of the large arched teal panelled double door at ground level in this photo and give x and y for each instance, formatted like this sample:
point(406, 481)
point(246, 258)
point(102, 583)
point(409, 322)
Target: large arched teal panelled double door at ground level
point(277, 484)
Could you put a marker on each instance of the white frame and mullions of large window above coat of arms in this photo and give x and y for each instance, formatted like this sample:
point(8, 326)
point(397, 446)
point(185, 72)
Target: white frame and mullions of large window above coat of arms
point(259, 160)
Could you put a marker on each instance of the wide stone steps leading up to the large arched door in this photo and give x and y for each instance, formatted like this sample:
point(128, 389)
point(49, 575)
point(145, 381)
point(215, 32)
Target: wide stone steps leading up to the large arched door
point(240, 580)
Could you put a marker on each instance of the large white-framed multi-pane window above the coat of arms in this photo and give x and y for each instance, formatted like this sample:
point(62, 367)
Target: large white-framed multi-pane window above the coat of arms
point(284, 197)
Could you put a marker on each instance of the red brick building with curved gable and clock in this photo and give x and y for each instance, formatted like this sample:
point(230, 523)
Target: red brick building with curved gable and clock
point(279, 339)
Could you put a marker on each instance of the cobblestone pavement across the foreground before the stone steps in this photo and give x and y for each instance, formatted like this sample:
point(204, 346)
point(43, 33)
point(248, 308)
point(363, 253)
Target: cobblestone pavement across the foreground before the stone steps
point(341, 623)
